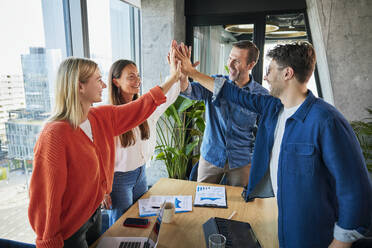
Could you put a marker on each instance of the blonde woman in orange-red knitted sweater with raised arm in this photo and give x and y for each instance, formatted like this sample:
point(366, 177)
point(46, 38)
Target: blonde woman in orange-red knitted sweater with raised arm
point(75, 153)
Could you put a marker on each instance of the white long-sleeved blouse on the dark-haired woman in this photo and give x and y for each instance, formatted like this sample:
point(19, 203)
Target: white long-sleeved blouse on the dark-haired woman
point(132, 157)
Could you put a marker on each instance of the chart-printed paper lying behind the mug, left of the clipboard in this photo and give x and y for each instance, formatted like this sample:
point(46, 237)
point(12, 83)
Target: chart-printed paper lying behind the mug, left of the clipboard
point(151, 206)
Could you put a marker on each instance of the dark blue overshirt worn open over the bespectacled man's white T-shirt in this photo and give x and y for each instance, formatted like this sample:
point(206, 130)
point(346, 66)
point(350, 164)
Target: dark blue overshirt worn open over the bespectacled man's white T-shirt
point(324, 190)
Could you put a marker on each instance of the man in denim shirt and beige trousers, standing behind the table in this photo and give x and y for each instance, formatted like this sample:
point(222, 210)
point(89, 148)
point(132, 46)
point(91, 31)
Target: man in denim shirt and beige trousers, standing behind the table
point(228, 140)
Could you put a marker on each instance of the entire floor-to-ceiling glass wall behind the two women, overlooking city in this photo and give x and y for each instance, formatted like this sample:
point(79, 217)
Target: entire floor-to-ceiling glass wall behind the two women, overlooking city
point(37, 36)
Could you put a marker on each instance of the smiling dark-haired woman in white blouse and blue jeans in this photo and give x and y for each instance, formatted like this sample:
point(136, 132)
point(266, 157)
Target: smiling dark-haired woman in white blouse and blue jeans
point(136, 146)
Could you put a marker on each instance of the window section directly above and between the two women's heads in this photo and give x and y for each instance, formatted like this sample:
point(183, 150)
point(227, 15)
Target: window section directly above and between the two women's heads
point(113, 34)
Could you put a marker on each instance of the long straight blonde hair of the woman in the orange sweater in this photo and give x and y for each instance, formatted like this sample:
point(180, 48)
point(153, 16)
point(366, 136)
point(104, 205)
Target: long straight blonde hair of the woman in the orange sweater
point(67, 102)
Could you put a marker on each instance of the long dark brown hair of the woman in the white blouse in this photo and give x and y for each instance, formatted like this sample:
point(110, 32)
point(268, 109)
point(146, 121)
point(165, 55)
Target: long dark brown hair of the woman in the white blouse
point(115, 97)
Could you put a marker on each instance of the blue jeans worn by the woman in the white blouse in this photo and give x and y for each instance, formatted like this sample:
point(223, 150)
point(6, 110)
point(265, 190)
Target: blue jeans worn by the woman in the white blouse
point(127, 188)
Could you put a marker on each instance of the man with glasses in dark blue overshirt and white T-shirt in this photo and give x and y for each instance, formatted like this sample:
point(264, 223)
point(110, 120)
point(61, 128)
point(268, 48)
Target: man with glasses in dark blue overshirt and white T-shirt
point(306, 154)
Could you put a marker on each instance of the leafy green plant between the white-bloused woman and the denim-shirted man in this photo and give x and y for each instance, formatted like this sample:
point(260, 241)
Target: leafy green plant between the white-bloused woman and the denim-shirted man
point(179, 131)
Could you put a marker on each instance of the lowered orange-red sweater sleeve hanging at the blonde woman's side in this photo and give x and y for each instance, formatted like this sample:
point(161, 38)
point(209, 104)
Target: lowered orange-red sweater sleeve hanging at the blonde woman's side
point(47, 186)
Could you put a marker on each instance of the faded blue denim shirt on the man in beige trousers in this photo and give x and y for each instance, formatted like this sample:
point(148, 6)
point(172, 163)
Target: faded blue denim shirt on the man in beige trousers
point(228, 135)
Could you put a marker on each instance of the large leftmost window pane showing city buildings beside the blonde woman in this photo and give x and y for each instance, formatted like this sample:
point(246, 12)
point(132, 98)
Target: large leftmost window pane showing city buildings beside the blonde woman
point(23, 73)
